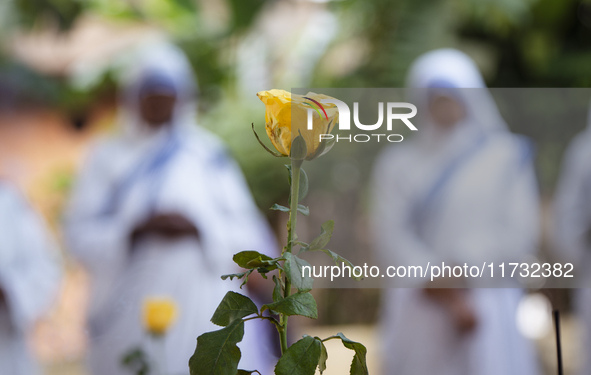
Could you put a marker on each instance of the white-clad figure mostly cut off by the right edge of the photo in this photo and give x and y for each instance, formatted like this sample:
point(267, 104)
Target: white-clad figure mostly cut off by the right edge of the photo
point(572, 226)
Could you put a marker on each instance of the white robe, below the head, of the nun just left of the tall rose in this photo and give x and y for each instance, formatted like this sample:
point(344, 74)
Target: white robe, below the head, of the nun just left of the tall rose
point(200, 182)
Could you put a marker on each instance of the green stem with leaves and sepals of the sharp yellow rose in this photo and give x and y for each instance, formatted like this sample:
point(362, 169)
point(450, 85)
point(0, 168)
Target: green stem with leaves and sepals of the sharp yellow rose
point(216, 351)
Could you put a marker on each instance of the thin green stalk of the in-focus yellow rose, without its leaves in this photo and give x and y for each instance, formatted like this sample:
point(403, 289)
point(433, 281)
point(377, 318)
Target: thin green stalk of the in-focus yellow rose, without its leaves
point(291, 230)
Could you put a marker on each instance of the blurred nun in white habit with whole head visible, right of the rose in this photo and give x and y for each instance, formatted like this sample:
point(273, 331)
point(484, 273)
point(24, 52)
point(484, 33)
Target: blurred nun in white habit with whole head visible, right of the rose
point(461, 191)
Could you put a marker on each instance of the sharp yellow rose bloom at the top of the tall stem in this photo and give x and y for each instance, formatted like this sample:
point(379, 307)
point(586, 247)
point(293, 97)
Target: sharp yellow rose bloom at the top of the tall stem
point(283, 108)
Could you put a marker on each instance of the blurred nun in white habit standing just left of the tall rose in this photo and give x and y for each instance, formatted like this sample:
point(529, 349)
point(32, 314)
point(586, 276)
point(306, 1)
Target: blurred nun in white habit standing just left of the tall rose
point(159, 211)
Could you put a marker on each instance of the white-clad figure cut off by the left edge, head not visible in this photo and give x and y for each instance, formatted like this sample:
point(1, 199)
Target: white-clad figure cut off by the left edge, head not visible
point(29, 279)
